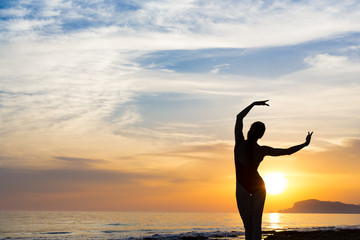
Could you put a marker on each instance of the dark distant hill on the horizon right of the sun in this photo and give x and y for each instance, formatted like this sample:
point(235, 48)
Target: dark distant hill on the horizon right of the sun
point(316, 206)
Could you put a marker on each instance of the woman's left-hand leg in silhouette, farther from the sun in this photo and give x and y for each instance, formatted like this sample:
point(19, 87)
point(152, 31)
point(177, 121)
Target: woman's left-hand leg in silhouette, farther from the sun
point(244, 203)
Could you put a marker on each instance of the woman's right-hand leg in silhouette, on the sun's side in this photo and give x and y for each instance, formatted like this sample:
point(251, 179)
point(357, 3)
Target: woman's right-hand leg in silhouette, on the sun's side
point(258, 207)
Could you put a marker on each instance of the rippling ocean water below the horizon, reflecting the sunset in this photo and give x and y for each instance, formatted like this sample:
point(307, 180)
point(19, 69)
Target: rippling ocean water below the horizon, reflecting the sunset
point(156, 225)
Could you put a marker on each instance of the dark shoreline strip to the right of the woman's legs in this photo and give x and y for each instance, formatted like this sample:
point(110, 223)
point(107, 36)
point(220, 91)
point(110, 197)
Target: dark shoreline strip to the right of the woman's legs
point(342, 234)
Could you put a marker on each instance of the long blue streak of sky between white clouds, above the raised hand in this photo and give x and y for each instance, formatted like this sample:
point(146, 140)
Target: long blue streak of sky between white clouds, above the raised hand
point(264, 62)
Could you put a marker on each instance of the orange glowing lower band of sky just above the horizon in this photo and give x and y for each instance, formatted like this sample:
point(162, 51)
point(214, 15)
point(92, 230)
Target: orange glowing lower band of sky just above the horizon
point(197, 177)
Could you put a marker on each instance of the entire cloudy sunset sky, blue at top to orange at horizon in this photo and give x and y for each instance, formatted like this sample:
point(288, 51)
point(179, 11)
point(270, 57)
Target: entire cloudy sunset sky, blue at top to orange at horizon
point(131, 105)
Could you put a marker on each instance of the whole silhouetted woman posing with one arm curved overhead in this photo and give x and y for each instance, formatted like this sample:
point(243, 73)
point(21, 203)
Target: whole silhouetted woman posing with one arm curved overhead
point(250, 187)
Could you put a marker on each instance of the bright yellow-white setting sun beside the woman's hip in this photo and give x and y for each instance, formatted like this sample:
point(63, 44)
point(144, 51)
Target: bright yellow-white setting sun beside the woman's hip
point(275, 183)
